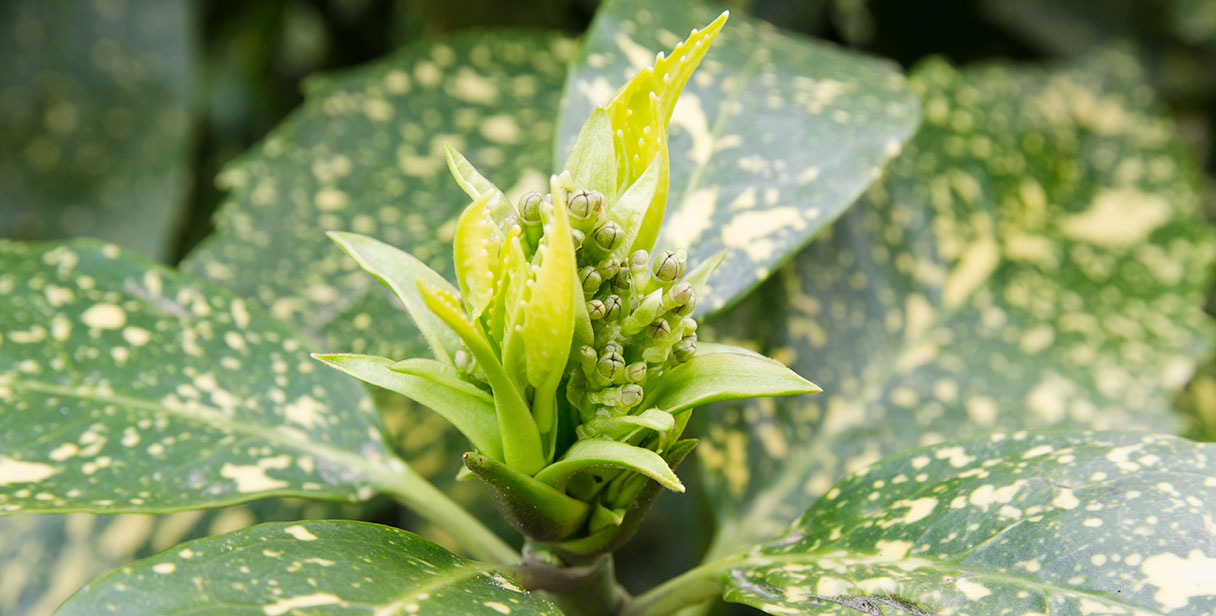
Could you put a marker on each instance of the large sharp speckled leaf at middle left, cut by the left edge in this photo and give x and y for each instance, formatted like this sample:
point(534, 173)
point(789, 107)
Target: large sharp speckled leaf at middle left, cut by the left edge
point(130, 388)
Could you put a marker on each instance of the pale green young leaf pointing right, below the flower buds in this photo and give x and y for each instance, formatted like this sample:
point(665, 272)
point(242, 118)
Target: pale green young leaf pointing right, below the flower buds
point(723, 372)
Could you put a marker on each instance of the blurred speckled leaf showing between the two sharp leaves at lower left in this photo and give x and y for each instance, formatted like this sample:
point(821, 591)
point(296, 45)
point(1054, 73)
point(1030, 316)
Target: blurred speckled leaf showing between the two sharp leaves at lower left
point(81, 547)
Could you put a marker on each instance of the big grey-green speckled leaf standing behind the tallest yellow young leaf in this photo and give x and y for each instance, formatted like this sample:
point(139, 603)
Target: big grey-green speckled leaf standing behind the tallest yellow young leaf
point(772, 140)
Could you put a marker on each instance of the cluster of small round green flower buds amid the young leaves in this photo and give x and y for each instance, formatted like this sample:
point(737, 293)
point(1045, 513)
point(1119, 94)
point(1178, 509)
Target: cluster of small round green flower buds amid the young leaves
point(640, 309)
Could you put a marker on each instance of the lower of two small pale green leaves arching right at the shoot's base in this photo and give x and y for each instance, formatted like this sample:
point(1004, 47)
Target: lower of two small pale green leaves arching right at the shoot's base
point(596, 454)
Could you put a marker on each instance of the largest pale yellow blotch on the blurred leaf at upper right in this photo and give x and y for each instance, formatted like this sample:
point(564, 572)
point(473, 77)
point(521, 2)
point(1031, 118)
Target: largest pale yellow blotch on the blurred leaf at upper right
point(1118, 218)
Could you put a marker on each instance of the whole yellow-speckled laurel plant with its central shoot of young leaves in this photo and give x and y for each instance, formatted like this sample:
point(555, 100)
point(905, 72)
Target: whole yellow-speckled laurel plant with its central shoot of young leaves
point(1033, 259)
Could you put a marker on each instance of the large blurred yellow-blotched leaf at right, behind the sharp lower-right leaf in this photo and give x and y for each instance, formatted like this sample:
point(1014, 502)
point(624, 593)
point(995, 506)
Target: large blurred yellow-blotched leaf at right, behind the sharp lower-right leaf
point(1035, 259)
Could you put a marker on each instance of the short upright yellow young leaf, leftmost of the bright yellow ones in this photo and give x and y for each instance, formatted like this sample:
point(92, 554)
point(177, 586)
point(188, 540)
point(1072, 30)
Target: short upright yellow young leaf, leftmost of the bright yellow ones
point(476, 255)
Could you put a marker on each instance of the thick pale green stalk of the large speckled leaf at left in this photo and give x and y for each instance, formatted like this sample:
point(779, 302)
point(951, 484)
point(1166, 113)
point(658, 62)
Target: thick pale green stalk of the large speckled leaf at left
point(410, 489)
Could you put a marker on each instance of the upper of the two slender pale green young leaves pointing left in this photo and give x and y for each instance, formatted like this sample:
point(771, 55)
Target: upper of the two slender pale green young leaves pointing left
point(402, 273)
